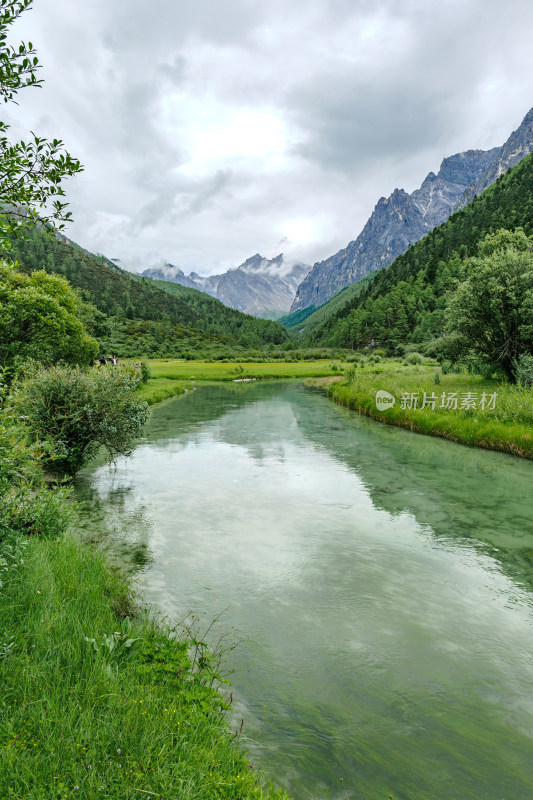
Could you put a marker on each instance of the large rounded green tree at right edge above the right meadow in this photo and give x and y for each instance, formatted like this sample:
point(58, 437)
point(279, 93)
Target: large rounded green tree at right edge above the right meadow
point(490, 312)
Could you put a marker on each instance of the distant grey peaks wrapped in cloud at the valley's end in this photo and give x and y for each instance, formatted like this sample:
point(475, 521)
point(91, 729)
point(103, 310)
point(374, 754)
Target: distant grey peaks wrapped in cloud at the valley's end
point(259, 286)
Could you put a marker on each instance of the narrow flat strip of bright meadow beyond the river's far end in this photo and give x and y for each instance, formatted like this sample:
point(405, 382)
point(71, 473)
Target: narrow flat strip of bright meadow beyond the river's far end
point(219, 371)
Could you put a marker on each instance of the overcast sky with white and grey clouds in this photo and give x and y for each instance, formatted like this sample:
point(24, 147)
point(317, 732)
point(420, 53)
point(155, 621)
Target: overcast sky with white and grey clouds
point(214, 129)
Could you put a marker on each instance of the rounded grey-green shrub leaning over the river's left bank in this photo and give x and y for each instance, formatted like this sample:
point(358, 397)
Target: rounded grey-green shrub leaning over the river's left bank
point(78, 413)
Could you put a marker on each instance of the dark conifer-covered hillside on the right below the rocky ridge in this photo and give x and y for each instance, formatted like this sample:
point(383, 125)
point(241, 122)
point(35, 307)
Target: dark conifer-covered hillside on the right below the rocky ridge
point(405, 303)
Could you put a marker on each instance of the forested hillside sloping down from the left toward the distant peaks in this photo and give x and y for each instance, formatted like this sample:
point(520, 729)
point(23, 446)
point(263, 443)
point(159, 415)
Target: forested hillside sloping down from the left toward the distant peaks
point(134, 315)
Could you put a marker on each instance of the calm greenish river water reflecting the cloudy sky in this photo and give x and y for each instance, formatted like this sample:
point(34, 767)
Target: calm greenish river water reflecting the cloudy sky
point(379, 584)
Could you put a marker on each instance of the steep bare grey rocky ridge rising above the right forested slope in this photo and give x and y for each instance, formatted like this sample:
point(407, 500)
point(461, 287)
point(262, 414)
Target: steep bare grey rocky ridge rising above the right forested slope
point(403, 219)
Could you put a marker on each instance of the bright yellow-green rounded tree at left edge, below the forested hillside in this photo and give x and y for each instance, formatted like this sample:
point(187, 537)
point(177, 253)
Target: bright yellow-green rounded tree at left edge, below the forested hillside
point(39, 319)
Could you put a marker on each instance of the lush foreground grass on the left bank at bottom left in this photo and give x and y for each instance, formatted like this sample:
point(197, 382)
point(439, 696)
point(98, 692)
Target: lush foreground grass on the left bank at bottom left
point(93, 705)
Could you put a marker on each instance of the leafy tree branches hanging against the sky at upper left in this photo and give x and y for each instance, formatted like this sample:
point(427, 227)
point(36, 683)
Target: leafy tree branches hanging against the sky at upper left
point(30, 172)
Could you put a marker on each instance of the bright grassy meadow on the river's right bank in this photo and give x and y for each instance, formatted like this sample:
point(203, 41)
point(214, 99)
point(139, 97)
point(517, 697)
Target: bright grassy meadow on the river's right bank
point(509, 427)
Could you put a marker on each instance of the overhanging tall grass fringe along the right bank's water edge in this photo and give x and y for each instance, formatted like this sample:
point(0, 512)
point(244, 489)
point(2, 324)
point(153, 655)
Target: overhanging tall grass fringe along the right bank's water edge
point(515, 439)
